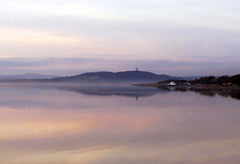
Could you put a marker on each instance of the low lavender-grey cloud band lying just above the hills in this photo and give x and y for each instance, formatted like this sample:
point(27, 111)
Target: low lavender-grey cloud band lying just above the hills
point(71, 66)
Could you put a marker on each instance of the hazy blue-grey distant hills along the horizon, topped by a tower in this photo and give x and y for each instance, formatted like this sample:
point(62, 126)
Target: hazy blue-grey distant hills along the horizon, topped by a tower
point(127, 76)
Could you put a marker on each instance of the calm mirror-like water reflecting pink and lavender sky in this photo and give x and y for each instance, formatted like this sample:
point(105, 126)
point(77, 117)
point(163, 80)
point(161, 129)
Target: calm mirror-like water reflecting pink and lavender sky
point(116, 125)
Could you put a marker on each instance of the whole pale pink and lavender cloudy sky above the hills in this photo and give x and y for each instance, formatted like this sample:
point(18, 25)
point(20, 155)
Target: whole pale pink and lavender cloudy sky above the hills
point(176, 37)
